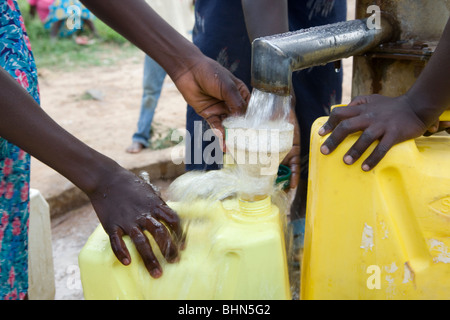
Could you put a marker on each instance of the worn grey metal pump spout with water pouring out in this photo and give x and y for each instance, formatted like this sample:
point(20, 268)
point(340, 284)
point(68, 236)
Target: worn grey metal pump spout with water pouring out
point(274, 58)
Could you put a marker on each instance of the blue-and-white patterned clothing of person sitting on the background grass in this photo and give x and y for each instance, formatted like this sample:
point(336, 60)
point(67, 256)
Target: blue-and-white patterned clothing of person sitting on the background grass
point(72, 10)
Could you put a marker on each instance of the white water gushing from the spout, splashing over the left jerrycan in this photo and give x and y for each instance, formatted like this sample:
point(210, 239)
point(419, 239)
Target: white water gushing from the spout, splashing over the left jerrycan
point(256, 144)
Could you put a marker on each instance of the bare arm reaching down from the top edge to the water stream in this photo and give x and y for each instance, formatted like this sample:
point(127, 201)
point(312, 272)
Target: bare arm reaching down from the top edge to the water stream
point(212, 90)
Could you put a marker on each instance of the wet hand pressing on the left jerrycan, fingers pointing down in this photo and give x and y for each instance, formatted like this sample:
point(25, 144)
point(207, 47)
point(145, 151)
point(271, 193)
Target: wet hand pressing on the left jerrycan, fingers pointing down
point(126, 205)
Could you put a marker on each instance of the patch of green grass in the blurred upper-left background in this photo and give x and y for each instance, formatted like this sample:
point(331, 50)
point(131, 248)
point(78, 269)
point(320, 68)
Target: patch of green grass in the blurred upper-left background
point(107, 49)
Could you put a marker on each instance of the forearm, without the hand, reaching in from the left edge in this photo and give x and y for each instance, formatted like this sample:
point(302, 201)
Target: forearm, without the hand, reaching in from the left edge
point(25, 124)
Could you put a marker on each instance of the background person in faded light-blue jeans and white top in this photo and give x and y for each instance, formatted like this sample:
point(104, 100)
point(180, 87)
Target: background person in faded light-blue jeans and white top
point(178, 13)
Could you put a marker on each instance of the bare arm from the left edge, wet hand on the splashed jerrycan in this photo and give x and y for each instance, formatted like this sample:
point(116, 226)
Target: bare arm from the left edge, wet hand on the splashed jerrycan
point(123, 203)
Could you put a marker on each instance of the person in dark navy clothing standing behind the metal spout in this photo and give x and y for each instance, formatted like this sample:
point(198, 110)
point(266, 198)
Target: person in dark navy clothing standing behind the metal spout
point(315, 89)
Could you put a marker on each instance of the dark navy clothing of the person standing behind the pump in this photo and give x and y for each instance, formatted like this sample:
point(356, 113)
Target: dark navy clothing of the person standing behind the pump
point(221, 34)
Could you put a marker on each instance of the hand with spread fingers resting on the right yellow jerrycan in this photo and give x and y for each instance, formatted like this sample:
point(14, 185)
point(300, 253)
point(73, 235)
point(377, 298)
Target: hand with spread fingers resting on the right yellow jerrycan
point(388, 120)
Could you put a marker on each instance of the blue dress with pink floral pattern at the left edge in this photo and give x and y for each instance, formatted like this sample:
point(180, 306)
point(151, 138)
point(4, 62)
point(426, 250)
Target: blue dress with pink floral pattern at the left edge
point(17, 59)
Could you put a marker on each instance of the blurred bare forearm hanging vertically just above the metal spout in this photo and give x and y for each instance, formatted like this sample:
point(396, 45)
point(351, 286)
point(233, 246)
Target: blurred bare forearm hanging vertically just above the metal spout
point(265, 17)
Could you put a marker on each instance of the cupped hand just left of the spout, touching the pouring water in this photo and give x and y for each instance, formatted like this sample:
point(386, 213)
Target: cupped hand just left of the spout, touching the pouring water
point(213, 92)
